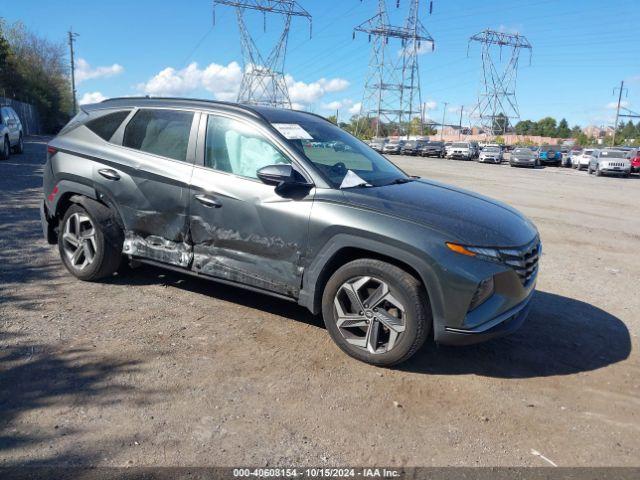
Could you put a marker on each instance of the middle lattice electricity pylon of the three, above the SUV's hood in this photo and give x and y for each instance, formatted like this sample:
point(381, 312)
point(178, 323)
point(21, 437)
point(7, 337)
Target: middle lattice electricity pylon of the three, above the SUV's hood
point(392, 89)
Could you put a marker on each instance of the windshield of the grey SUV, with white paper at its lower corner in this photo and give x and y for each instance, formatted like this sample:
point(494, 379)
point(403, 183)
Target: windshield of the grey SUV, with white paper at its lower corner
point(335, 153)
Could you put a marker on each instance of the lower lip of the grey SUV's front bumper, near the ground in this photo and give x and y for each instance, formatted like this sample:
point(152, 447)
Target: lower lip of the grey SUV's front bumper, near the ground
point(504, 324)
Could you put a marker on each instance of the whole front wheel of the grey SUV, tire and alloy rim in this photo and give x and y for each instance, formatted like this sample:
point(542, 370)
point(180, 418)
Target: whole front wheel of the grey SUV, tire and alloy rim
point(376, 312)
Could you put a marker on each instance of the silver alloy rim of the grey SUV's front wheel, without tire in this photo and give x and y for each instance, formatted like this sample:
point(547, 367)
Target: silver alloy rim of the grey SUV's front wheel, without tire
point(368, 316)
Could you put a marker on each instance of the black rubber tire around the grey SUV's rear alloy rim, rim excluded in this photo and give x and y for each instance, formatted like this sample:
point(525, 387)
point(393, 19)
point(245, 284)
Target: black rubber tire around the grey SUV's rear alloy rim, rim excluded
point(108, 241)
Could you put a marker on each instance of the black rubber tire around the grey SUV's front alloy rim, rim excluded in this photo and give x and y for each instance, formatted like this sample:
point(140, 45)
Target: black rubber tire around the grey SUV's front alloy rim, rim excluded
point(403, 286)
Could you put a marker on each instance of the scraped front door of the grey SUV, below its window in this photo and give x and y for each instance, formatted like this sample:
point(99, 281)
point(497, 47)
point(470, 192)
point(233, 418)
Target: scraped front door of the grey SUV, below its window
point(255, 237)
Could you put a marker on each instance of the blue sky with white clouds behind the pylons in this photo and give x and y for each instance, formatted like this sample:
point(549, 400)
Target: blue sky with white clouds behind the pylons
point(581, 51)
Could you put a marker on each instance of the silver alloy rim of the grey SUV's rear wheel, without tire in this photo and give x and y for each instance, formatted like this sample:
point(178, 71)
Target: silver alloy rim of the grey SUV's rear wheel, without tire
point(79, 241)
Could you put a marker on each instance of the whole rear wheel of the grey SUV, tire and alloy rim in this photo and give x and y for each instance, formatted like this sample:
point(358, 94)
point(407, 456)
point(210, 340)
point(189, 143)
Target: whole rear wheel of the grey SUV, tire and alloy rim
point(90, 244)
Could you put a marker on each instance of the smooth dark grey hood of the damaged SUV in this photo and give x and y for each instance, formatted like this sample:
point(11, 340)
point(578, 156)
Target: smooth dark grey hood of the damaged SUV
point(463, 216)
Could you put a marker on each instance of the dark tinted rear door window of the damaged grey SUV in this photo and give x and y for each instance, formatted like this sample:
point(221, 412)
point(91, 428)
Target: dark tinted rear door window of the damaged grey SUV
point(161, 132)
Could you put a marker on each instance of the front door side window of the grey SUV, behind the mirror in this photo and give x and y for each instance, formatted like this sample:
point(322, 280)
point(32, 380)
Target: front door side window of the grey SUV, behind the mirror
point(236, 147)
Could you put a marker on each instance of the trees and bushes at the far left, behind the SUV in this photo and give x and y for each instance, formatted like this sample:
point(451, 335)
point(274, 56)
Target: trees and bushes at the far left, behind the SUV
point(34, 70)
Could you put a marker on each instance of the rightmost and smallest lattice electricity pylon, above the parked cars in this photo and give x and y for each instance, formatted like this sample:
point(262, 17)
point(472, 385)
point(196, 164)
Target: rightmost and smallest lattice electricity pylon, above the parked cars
point(497, 105)
